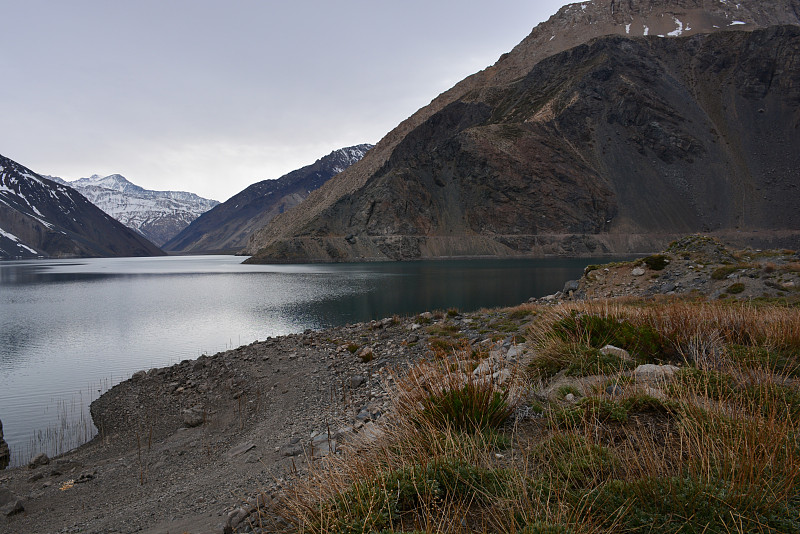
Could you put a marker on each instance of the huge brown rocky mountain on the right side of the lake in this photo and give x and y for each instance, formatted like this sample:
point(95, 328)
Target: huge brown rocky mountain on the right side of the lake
point(594, 135)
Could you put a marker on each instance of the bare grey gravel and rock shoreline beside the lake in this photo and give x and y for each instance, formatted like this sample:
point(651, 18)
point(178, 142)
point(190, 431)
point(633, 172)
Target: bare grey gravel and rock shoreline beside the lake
point(201, 445)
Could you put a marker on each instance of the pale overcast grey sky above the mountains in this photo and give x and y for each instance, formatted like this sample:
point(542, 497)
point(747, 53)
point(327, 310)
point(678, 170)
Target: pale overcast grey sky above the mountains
point(210, 96)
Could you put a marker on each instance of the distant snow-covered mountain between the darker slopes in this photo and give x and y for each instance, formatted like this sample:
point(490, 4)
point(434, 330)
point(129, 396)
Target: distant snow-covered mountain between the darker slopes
point(157, 215)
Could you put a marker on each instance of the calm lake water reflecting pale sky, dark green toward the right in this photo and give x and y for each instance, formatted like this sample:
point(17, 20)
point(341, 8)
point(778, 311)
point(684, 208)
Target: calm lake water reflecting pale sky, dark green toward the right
point(71, 329)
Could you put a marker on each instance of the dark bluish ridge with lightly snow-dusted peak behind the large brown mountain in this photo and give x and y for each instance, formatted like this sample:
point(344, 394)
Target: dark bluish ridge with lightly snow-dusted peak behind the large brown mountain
point(228, 226)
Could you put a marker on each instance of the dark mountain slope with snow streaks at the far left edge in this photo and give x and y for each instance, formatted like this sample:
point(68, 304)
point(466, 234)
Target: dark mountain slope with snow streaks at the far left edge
point(39, 217)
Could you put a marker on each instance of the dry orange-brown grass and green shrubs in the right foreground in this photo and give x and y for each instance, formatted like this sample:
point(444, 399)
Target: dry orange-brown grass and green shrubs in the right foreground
point(712, 449)
